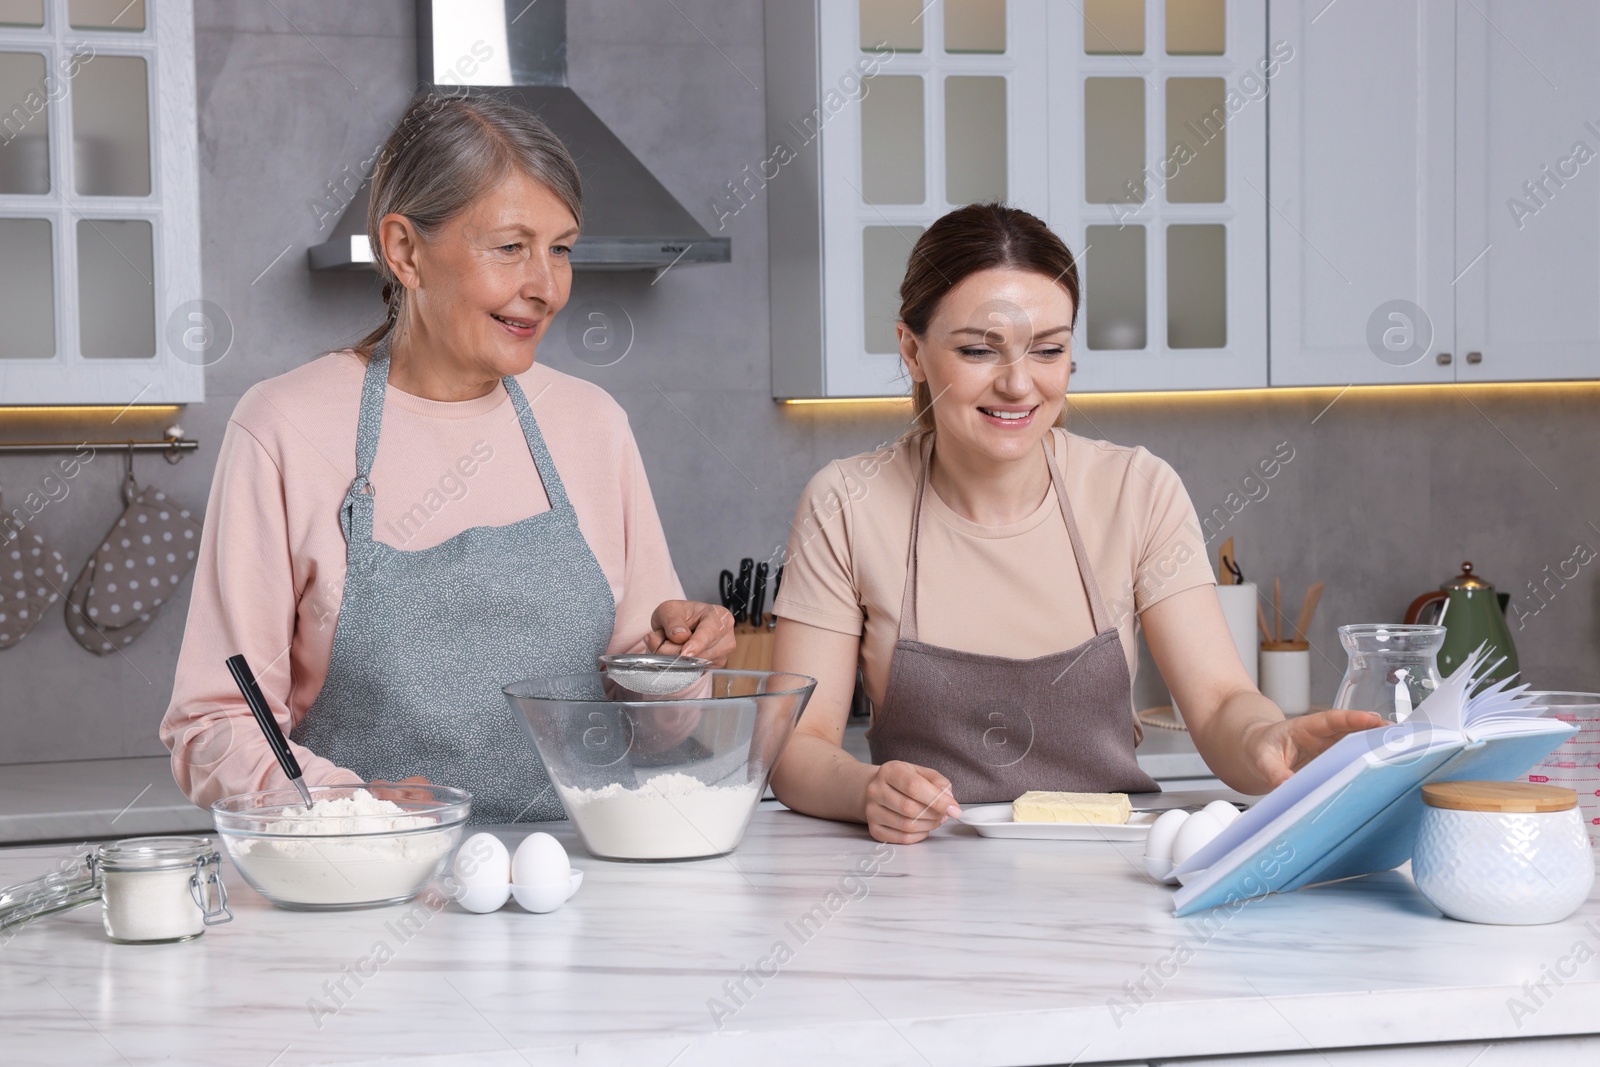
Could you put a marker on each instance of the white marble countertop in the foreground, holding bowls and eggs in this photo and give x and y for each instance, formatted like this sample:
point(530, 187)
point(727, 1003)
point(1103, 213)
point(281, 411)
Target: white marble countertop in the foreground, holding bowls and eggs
point(809, 945)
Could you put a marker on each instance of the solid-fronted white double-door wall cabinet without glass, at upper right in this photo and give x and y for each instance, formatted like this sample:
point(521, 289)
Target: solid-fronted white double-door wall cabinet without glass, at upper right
point(1433, 178)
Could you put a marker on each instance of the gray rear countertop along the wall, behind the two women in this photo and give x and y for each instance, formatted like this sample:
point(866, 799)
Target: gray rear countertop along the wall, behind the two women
point(94, 799)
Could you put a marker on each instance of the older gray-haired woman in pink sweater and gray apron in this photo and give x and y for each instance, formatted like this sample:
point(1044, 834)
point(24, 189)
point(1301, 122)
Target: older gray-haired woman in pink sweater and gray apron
point(401, 529)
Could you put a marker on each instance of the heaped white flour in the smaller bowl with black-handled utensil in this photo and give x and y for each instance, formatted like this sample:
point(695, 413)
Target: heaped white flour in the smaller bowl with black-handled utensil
point(322, 868)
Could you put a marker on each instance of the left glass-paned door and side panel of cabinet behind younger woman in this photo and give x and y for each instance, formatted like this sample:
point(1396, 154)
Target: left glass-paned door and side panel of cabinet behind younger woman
point(884, 116)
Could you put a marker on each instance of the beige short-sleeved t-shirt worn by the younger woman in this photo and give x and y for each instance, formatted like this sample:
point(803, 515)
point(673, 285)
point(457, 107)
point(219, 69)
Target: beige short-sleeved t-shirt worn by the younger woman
point(1002, 591)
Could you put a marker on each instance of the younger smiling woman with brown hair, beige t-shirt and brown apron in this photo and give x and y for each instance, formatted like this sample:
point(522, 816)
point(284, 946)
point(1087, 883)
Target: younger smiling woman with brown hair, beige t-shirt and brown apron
point(986, 580)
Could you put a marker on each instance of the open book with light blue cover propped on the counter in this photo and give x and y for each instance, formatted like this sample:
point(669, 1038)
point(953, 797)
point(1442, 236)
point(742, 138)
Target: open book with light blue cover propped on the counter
point(1358, 807)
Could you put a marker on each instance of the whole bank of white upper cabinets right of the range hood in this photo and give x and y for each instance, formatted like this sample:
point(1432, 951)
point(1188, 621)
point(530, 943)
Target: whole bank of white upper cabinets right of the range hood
point(1412, 204)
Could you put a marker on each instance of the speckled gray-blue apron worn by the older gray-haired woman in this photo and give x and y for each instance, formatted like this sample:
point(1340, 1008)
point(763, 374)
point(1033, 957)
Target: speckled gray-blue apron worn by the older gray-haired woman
point(426, 639)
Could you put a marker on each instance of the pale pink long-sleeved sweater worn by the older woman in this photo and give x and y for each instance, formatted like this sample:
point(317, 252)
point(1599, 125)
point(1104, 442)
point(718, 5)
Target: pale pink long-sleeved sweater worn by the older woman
point(271, 567)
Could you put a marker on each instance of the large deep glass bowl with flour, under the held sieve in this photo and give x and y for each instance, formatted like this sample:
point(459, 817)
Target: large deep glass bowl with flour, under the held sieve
point(662, 778)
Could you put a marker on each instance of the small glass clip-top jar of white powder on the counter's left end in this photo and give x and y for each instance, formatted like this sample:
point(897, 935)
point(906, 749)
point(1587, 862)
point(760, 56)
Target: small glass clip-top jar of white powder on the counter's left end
point(159, 889)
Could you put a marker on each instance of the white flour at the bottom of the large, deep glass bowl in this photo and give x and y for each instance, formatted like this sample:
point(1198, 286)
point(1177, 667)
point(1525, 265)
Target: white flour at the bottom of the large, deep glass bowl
point(671, 817)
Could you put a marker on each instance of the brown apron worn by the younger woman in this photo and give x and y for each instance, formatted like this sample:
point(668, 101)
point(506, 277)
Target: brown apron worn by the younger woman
point(1001, 727)
